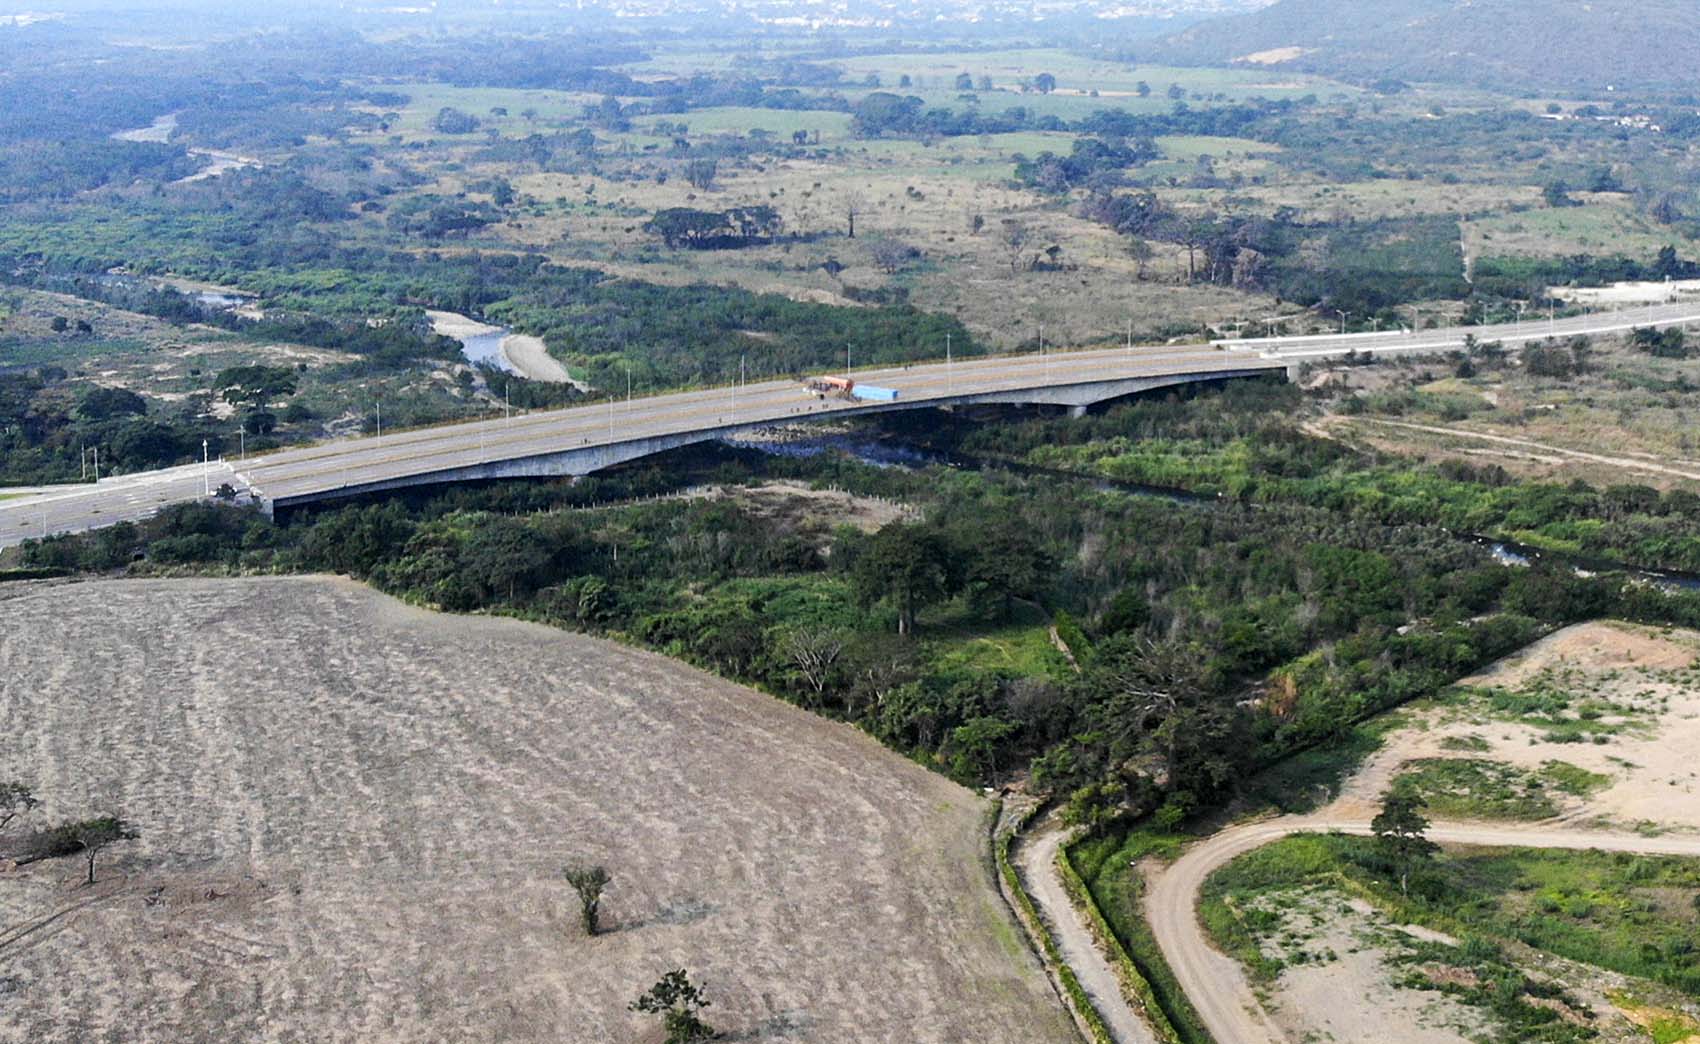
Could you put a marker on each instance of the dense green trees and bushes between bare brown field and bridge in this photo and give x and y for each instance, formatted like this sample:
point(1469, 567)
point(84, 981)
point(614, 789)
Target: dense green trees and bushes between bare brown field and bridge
point(931, 633)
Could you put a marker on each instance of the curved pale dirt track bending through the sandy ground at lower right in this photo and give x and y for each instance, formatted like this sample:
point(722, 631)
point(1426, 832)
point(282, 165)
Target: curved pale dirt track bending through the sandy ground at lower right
point(1216, 984)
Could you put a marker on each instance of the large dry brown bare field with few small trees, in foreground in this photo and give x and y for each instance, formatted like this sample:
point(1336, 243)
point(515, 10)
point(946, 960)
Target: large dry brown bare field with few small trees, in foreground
point(354, 817)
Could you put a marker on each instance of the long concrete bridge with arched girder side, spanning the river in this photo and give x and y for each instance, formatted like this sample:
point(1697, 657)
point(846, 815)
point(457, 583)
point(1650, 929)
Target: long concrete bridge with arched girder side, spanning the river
point(592, 438)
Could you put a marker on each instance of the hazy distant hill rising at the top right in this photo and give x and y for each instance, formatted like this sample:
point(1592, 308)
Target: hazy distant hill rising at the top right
point(1587, 45)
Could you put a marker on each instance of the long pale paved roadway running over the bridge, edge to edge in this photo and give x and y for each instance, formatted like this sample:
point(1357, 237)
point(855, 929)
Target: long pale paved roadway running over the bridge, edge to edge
point(329, 468)
